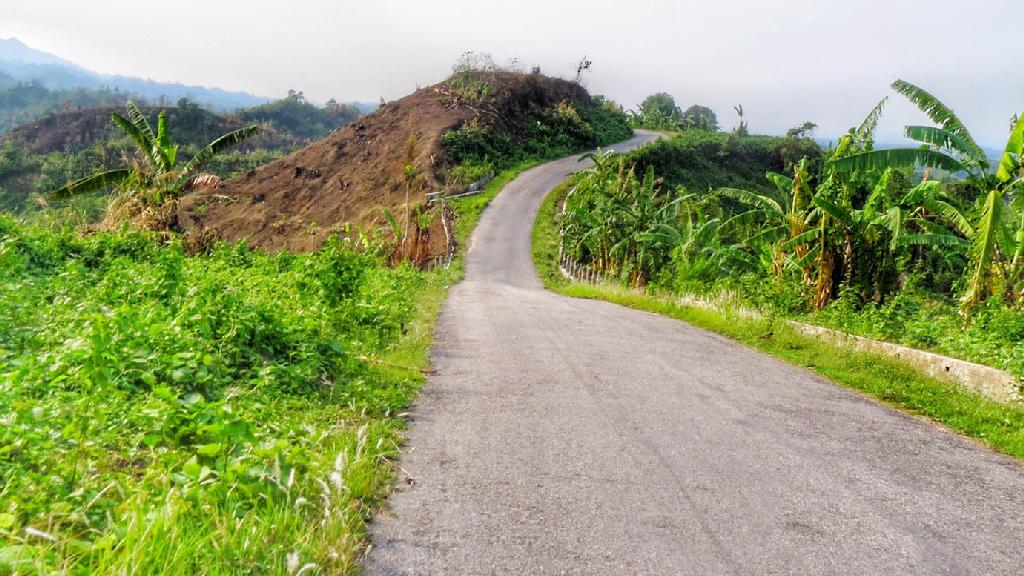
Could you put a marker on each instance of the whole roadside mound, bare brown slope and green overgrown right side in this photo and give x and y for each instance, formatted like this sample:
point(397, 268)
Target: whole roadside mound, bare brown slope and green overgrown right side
point(440, 139)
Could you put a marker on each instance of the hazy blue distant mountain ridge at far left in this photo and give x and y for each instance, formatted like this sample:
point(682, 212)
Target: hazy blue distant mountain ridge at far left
point(20, 63)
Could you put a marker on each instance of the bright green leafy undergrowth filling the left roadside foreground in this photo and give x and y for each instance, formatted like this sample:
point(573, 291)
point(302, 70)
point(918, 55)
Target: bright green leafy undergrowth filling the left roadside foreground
point(193, 414)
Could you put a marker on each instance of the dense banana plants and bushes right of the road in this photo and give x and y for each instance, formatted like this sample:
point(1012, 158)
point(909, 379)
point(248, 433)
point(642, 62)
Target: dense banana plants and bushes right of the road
point(923, 246)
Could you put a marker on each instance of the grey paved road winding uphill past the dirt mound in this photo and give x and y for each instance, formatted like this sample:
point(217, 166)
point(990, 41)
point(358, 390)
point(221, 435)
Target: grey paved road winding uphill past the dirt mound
point(574, 437)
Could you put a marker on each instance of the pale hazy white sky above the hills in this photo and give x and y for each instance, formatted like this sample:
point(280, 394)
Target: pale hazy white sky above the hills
point(825, 61)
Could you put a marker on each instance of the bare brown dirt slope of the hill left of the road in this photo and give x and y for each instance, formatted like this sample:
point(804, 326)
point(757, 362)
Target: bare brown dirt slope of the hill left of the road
point(300, 201)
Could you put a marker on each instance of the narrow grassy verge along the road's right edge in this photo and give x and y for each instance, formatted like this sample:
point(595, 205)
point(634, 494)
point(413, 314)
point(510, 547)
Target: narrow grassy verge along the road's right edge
point(999, 426)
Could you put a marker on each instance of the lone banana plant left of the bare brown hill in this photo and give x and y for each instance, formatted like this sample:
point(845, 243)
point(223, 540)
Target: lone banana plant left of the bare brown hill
point(160, 175)
